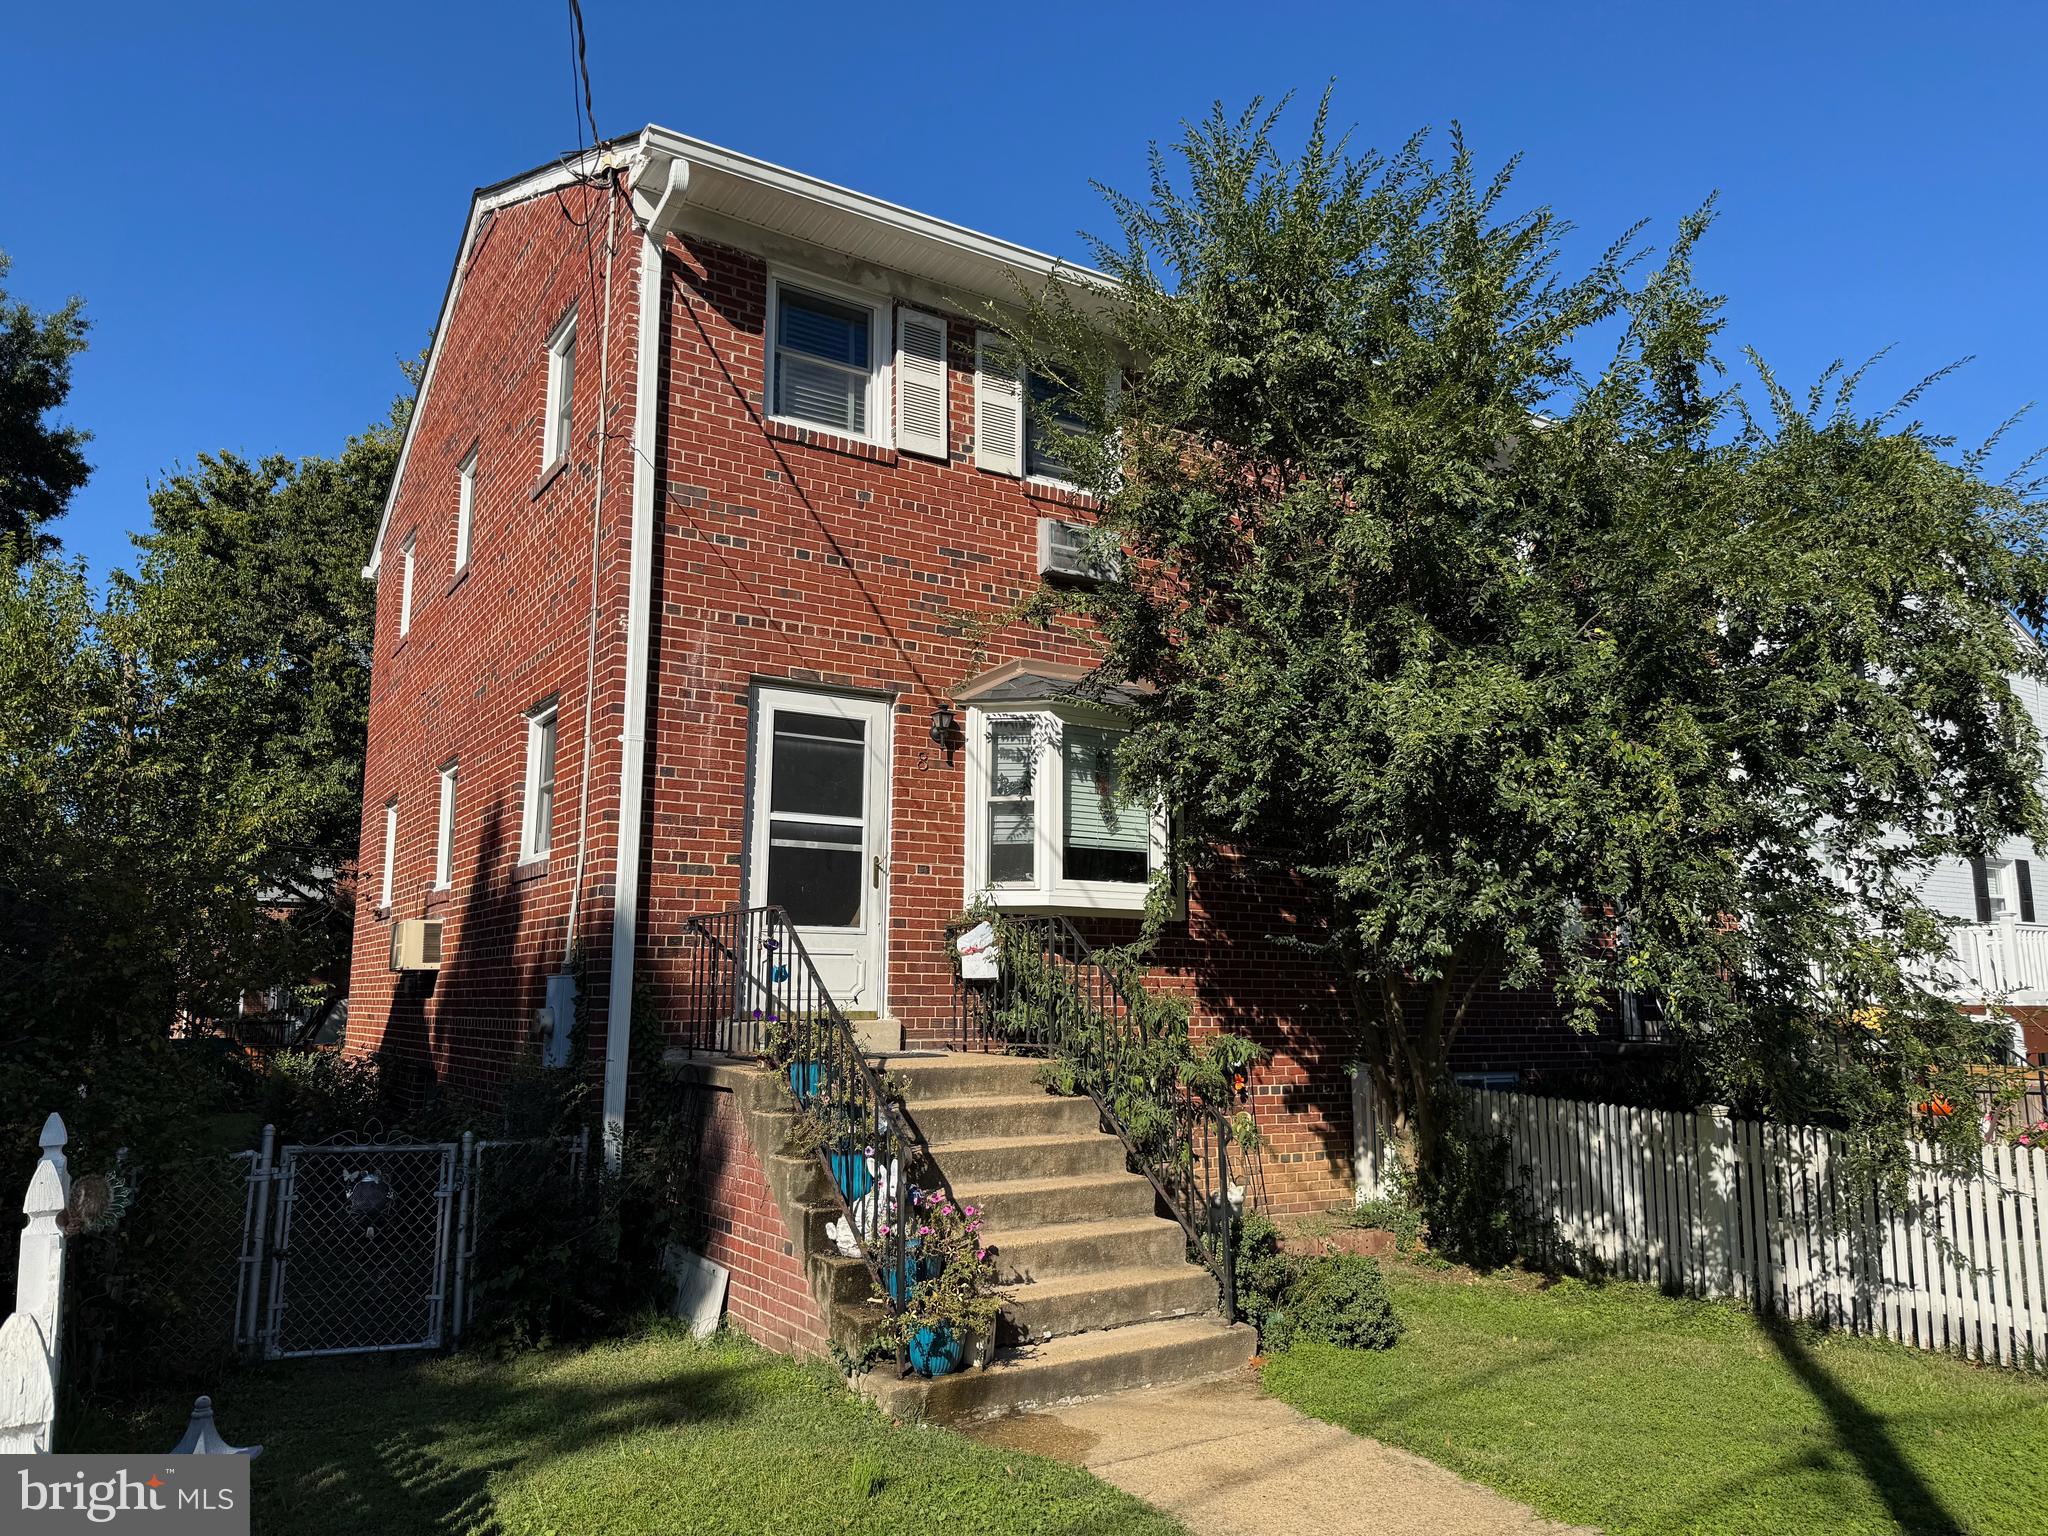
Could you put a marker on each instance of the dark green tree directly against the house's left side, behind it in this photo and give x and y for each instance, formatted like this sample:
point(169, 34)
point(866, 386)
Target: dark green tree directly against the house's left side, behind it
point(251, 595)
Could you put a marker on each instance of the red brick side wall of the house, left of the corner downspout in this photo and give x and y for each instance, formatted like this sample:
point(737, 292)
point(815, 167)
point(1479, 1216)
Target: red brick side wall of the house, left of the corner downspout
point(486, 646)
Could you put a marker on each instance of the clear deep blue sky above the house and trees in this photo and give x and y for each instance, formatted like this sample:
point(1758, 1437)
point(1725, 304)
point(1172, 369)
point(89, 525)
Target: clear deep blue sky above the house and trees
point(261, 204)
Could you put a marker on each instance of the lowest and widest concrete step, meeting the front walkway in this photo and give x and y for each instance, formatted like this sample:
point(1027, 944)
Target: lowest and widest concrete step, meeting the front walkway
point(1086, 1365)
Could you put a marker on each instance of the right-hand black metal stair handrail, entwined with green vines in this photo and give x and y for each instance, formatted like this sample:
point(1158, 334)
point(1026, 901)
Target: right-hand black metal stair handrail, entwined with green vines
point(1056, 998)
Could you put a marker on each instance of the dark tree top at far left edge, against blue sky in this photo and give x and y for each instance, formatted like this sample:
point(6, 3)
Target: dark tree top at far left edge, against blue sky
point(42, 466)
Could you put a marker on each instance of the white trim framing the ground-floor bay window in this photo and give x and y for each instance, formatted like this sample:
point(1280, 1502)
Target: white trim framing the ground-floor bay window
point(1050, 888)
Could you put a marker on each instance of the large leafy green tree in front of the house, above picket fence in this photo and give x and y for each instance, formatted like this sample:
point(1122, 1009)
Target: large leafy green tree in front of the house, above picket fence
point(1535, 679)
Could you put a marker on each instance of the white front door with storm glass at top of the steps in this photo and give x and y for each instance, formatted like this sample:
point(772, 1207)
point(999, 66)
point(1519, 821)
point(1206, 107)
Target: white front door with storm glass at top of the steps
point(820, 841)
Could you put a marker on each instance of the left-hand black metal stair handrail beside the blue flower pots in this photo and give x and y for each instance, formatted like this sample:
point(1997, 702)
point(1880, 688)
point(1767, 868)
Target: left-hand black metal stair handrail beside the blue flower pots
point(757, 994)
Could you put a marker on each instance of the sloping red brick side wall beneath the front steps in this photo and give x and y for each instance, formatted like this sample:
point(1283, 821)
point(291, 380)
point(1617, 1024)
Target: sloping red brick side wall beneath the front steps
point(734, 1220)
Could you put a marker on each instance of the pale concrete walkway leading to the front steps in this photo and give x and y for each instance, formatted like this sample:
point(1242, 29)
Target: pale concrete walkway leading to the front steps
point(1228, 1461)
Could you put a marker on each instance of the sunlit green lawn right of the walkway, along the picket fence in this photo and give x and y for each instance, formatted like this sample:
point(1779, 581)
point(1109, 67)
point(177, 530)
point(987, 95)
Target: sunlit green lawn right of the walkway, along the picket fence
point(1625, 1410)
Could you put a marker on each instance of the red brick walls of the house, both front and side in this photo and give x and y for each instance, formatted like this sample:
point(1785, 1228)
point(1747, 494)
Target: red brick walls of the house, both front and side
point(783, 558)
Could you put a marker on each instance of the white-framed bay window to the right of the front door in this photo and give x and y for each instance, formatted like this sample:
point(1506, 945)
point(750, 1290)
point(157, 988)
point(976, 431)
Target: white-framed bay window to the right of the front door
point(1054, 824)
